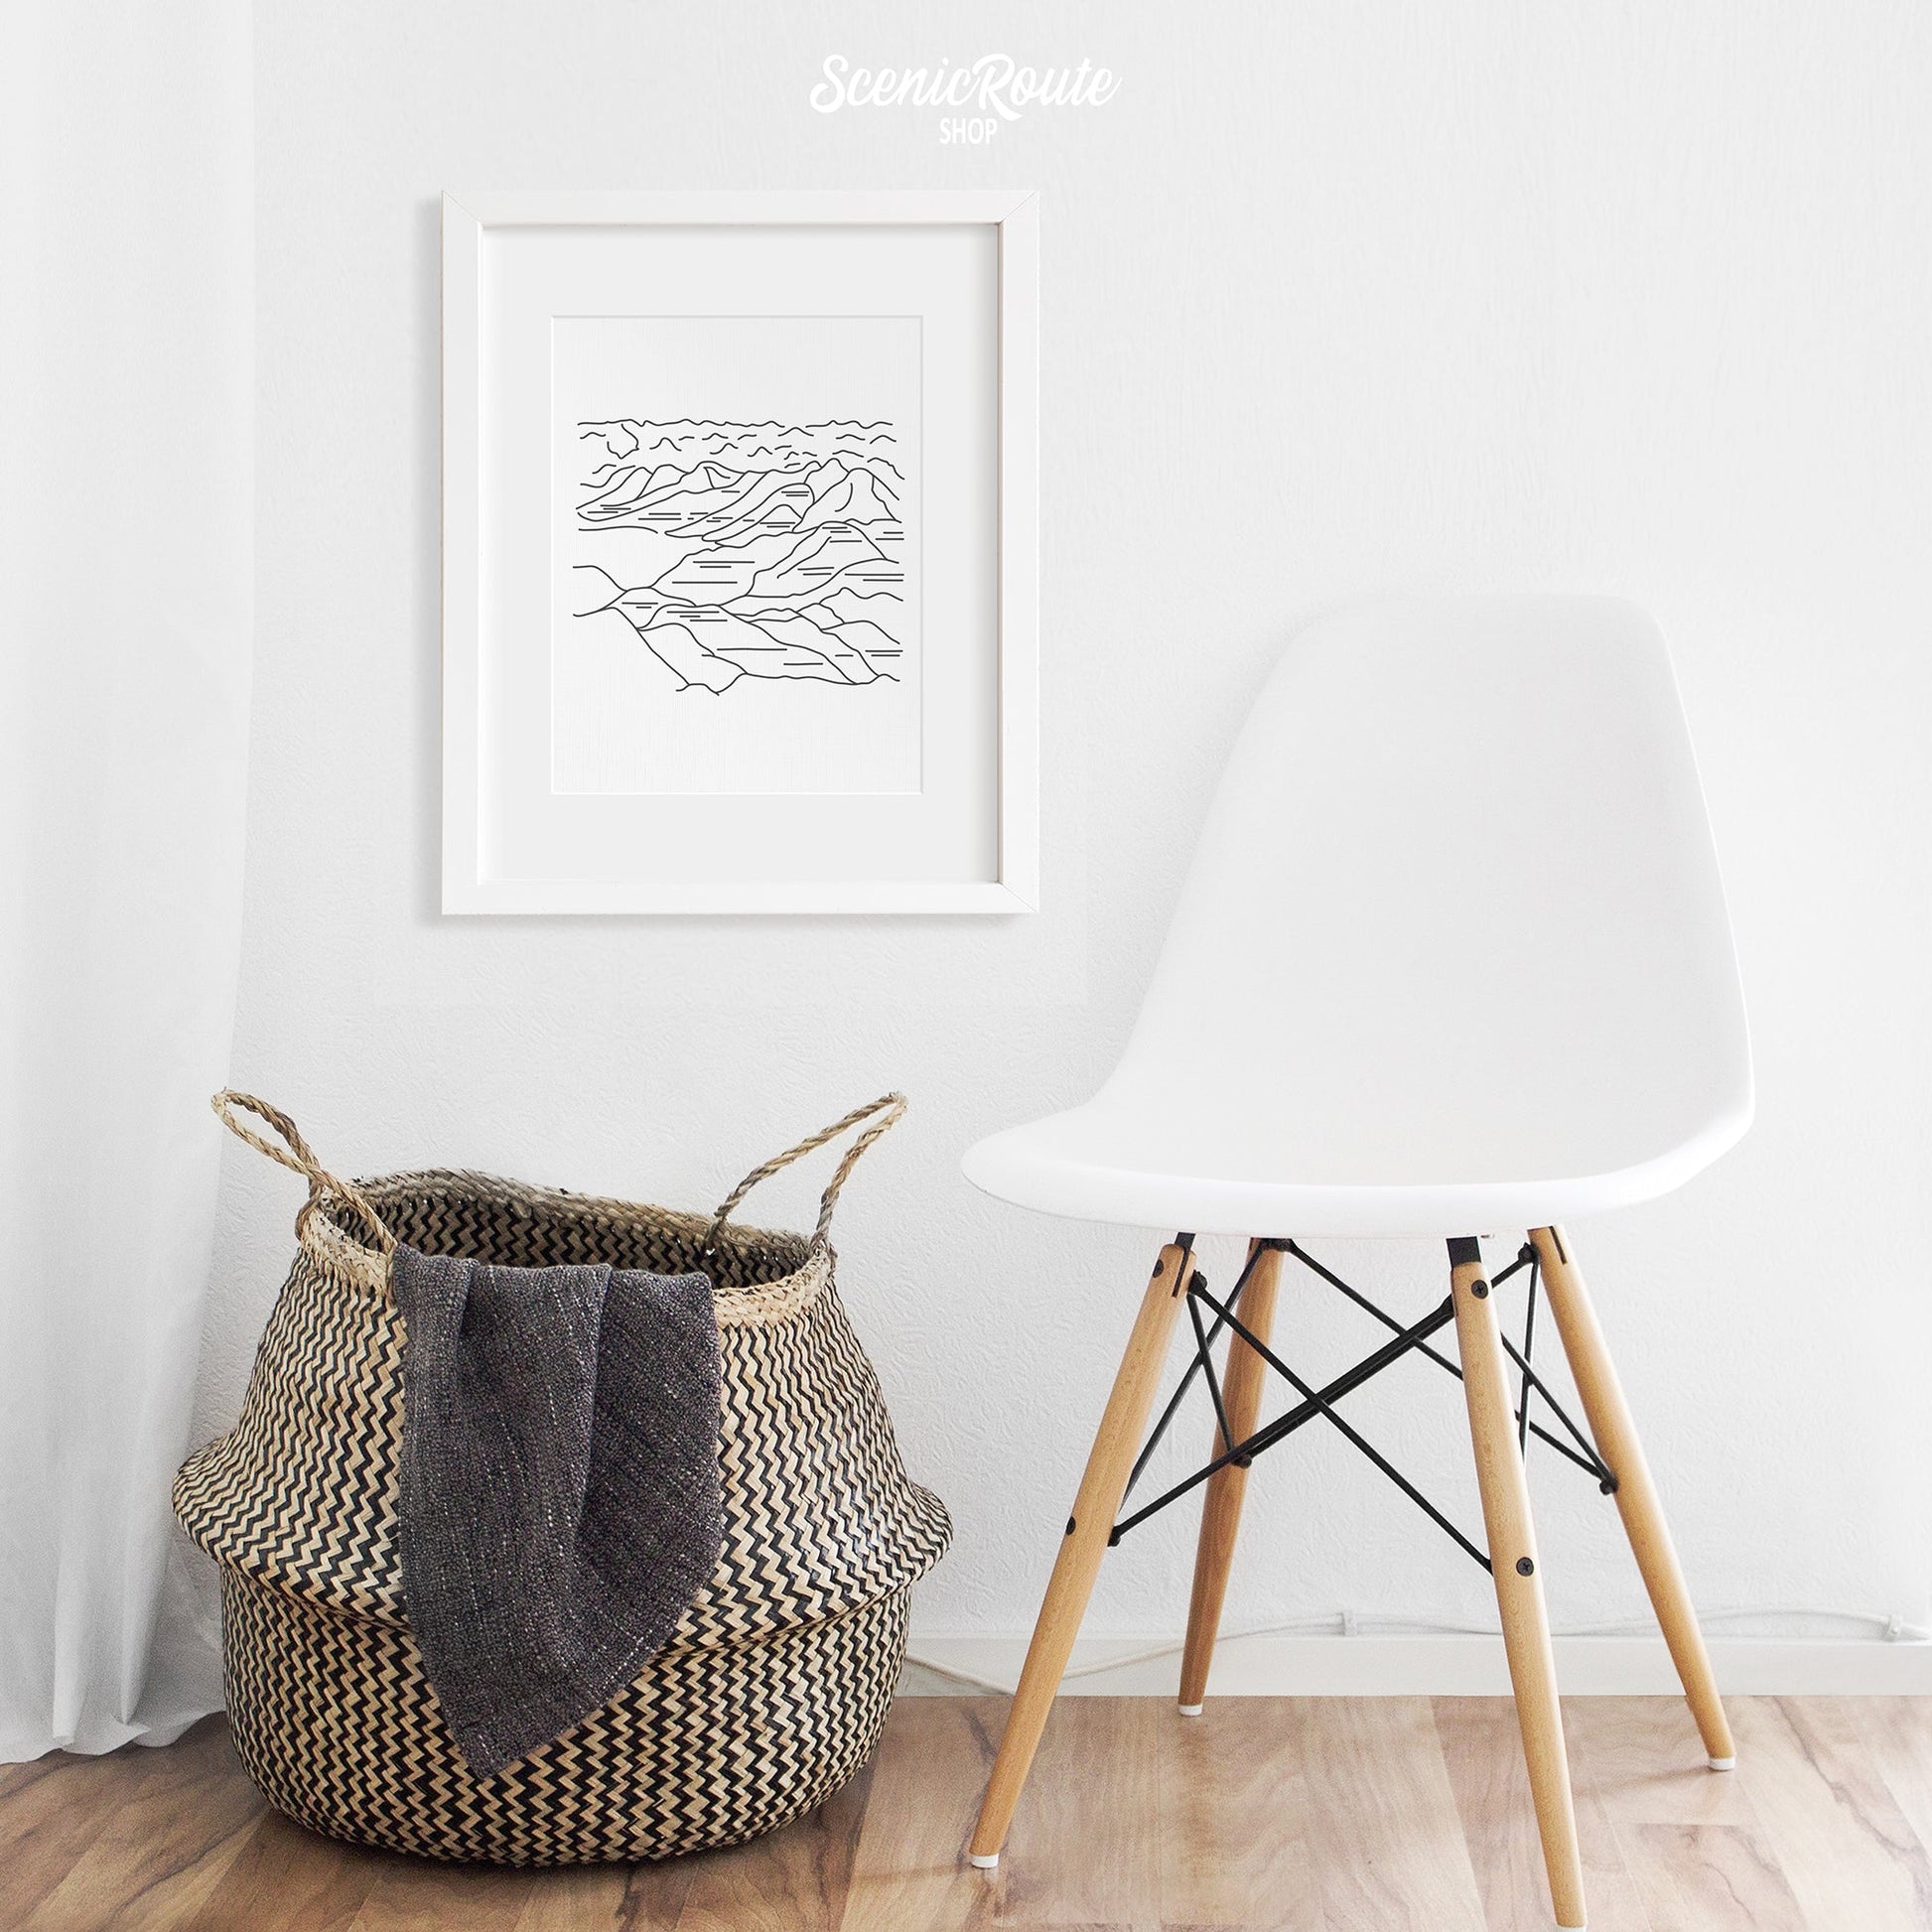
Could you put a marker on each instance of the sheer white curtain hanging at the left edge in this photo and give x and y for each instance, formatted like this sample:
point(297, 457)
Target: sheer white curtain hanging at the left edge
point(127, 441)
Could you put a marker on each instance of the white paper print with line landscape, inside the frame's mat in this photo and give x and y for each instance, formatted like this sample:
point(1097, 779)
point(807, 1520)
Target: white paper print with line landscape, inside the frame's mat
point(739, 530)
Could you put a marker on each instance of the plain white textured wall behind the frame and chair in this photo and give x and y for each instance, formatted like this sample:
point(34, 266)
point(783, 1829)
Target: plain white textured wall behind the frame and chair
point(1340, 300)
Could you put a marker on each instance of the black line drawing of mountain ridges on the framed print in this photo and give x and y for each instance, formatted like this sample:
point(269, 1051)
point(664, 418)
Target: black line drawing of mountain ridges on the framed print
point(785, 548)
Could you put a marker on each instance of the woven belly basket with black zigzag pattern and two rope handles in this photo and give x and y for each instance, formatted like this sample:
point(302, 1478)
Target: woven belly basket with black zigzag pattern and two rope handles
point(770, 1693)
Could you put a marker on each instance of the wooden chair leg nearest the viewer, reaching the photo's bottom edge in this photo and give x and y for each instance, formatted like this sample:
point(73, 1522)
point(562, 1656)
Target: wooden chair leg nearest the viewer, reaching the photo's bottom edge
point(1520, 1591)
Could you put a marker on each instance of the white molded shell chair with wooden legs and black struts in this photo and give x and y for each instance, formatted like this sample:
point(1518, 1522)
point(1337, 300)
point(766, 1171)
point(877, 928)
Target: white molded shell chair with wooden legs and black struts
point(1454, 957)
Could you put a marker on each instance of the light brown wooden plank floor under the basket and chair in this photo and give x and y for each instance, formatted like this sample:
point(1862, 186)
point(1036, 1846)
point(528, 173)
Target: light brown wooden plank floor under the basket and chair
point(1293, 1815)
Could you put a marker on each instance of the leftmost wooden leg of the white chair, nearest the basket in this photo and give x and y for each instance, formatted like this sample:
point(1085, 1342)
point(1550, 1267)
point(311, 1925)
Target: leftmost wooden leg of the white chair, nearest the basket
point(1083, 1547)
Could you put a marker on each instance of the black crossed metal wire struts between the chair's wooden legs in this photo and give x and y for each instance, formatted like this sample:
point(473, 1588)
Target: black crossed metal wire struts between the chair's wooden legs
point(1321, 1404)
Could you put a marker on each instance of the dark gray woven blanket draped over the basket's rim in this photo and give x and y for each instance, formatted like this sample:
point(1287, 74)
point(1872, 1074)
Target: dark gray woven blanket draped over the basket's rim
point(559, 1485)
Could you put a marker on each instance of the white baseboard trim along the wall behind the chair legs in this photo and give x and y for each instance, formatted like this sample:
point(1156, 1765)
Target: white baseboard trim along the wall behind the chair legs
point(1442, 1666)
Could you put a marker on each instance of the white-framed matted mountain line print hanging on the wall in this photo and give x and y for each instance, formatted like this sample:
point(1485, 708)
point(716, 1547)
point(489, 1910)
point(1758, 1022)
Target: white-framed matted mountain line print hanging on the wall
point(739, 554)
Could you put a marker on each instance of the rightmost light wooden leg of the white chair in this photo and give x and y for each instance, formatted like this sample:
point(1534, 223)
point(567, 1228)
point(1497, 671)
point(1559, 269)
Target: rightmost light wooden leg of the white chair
point(1637, 1494)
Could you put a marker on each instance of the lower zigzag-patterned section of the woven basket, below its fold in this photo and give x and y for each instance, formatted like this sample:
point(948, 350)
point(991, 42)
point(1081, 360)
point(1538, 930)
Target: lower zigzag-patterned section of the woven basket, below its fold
point(339, 1728)
